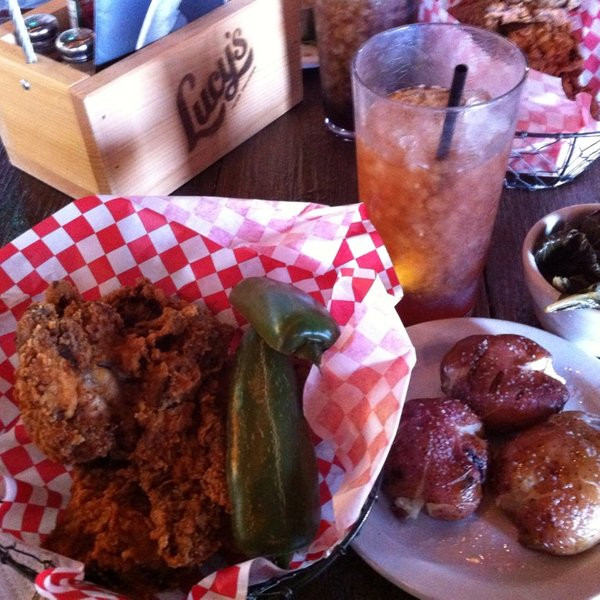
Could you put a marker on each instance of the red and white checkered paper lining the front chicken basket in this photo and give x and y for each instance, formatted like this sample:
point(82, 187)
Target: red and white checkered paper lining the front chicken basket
point(199, 248)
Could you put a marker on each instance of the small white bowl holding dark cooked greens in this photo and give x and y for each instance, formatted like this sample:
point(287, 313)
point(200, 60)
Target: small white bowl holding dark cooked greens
point(580, 326)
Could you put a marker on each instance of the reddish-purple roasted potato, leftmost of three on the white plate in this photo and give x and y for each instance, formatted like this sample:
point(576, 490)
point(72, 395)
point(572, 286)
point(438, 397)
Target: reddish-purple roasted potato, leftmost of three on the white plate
point(438, 460)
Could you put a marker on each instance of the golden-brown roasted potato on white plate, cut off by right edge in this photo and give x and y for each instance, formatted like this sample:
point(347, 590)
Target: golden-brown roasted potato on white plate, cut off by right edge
point(548, 481)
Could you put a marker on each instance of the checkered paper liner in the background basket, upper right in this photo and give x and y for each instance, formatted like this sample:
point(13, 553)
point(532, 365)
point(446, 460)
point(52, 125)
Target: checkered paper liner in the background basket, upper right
point(545, 109)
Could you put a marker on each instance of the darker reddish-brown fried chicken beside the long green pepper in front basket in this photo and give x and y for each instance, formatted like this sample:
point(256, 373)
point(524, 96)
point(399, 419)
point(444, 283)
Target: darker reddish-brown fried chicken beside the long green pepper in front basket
point(158, 503)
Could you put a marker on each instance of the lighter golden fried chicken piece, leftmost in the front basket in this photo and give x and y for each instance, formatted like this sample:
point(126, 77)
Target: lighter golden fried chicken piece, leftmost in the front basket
point(64, 386)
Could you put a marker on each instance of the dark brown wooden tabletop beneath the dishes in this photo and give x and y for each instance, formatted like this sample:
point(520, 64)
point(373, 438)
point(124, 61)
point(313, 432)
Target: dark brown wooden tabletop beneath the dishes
point(296, 158)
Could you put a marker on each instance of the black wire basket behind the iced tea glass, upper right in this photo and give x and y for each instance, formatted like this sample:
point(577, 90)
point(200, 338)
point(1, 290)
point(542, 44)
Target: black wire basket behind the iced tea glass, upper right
point(540, 161)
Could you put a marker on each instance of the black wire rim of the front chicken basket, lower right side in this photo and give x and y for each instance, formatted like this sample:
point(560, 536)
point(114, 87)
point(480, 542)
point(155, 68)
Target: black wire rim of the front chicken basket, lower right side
point(284, 586)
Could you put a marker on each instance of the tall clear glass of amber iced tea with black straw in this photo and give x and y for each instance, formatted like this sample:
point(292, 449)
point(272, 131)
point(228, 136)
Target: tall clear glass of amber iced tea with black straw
point(431, 175)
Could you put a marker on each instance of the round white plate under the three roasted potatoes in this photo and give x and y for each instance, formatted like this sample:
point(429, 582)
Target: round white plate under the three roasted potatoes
point(480, 557)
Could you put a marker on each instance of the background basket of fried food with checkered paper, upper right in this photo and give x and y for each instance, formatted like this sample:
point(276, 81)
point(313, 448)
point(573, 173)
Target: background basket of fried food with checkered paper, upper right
point(558, 132)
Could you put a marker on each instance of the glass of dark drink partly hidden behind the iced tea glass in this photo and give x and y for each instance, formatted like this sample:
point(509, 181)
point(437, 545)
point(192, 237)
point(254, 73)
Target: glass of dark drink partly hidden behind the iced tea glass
point(341, 27)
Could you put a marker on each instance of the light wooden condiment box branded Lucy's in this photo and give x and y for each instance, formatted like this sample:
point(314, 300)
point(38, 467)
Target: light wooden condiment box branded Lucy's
point(151, 121)
